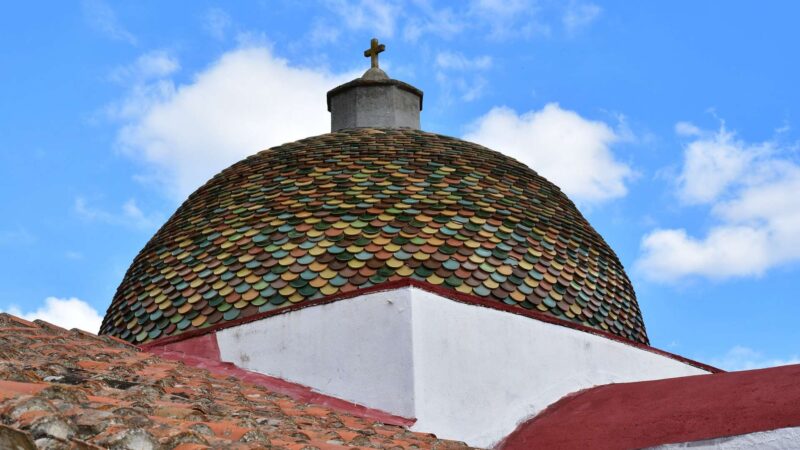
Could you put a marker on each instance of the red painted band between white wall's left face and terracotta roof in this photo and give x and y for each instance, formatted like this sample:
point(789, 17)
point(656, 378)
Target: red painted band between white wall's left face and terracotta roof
point(203, 352)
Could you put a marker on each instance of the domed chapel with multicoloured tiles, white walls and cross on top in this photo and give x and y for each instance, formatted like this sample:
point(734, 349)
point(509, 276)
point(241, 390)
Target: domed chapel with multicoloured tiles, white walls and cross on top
point(432, 280)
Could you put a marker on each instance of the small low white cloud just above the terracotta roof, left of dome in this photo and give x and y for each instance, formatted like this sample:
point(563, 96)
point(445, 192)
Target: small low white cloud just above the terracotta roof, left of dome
point(65, 312)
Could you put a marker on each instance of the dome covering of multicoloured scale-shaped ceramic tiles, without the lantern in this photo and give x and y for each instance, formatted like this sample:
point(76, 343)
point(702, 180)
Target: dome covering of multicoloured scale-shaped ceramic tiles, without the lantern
point(356, 208)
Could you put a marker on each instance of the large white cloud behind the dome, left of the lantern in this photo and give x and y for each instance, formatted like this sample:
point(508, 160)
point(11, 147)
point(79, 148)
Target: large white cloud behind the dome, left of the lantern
point(246, 101)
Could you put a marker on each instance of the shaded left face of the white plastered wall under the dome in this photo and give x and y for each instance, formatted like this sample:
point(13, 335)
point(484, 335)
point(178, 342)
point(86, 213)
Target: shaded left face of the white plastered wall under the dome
point(358, 349)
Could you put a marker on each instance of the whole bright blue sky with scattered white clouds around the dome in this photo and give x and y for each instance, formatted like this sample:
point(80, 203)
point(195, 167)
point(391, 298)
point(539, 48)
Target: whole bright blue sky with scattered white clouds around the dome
point(673, 125)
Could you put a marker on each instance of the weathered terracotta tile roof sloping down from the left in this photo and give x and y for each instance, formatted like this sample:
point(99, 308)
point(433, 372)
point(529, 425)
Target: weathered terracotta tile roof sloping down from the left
point(81, 391)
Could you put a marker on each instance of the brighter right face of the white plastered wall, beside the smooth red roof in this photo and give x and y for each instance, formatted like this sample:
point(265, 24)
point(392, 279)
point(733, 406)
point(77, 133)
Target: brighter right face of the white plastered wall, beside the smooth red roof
point(479, 372)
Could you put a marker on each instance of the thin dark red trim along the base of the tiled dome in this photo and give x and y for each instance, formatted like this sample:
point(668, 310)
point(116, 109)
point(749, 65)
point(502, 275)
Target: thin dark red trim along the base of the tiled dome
point(438, 290)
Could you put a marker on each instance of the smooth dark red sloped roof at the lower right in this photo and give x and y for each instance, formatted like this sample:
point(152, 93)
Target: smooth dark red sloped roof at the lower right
point(675, 410)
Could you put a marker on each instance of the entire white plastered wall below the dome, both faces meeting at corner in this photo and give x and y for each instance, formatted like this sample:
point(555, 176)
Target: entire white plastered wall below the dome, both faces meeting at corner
point(465, 372)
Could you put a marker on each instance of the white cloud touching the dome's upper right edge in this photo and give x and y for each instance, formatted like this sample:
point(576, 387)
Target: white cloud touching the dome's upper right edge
point(572, 152)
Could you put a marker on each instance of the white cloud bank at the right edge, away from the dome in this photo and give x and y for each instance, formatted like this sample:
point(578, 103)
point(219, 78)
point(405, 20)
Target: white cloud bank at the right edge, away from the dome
point(751, 191)
